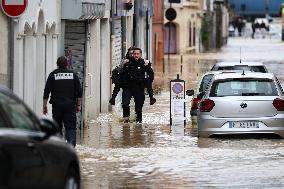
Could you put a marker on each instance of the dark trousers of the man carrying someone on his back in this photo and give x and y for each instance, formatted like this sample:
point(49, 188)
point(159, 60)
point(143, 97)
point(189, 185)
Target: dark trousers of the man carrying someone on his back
point(138, 93)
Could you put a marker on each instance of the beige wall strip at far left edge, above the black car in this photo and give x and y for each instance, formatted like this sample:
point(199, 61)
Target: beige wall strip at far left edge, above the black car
point(4, 50)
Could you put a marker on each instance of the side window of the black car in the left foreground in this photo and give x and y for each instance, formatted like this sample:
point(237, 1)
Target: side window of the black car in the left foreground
point(17, 114)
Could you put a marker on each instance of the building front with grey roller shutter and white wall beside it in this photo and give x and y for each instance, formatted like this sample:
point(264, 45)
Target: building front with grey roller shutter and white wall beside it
point(85, 42)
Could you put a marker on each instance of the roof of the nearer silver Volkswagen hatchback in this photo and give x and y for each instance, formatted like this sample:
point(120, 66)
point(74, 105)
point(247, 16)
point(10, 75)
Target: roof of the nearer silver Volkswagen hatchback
point(256, 75)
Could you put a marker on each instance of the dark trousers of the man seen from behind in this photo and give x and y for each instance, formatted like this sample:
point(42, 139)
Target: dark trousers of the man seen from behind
point(64, 113)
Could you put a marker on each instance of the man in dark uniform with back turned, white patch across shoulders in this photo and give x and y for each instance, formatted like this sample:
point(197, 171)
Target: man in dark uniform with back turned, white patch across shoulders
point(66, 94)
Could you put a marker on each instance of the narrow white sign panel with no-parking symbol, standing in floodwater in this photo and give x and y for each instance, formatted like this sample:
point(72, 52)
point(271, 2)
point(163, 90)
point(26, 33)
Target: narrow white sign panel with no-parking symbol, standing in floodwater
point(177, 103)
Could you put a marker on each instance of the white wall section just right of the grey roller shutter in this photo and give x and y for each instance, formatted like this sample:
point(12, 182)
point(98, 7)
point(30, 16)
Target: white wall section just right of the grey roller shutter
point(98, 65)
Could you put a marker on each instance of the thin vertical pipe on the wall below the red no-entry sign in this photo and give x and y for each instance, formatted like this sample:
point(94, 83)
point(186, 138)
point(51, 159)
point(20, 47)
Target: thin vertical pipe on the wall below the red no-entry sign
point(11, 53)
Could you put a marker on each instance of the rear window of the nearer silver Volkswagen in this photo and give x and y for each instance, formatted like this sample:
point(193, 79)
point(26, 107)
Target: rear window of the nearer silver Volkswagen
point(243, 87)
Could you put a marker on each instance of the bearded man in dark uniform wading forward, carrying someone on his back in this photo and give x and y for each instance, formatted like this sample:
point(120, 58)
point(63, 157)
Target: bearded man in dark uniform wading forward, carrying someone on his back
point(134, 76)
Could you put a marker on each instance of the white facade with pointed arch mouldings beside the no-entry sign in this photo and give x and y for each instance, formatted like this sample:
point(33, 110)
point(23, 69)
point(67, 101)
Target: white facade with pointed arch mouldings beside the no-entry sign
point(35, 50)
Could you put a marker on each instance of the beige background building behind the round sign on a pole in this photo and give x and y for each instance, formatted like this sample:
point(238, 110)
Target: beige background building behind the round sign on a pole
point(182, 34)
